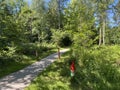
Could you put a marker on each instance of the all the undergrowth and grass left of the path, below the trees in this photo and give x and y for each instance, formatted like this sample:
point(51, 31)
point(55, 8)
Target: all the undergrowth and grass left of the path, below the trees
point(15, 58)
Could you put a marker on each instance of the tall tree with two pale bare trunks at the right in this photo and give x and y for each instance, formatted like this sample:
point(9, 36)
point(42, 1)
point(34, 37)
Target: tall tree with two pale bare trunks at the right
point(101, 8)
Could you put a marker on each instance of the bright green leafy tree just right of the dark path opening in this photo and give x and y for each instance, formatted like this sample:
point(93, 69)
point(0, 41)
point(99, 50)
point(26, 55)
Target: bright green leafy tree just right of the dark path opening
point(80, 22)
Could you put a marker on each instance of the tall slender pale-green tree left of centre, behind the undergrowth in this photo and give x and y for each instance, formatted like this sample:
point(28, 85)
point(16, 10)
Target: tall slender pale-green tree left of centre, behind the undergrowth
point(40, 24)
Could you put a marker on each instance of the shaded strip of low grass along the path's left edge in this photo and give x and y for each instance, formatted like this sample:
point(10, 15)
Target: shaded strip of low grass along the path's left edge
point(12, 66)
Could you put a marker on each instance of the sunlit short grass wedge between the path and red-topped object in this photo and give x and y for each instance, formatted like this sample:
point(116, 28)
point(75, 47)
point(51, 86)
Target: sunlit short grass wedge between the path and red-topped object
point(55, 77)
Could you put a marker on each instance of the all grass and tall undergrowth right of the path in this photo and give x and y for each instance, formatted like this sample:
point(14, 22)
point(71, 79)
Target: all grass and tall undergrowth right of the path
point(96, 69)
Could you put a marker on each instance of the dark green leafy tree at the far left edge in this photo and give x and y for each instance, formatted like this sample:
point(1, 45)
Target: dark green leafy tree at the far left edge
point(10, 33)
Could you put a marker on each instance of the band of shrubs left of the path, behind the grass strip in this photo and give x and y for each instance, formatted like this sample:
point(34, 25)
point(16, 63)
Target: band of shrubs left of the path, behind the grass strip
point(15, 54)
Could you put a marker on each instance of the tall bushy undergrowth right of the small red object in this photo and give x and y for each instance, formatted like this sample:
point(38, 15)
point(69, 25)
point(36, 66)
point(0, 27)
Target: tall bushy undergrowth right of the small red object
point(95, 69)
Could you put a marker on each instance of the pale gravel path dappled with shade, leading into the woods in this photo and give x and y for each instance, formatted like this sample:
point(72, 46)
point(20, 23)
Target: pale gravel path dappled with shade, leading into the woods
point(19, 80)
